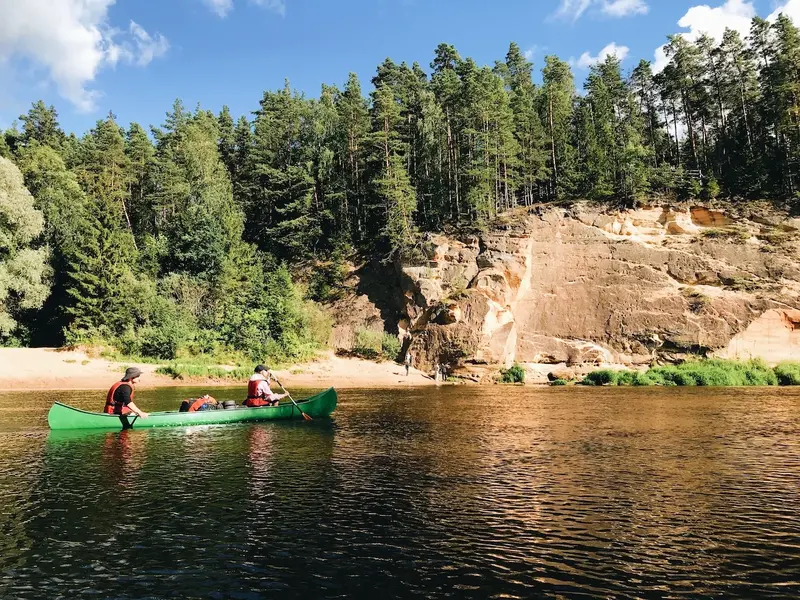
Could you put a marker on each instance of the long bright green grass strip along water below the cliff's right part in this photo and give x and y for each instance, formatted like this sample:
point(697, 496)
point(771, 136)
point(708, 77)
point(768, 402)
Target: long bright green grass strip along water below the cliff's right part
point(705, 373)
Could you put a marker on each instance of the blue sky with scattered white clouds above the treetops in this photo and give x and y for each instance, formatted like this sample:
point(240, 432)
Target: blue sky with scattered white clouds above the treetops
point(136, 56)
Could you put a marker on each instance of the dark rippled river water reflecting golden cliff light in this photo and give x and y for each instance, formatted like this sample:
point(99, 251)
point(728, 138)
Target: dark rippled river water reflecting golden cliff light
point(458, 492)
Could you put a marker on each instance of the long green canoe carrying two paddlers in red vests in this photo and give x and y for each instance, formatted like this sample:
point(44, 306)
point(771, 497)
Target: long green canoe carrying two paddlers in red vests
point(62, 416)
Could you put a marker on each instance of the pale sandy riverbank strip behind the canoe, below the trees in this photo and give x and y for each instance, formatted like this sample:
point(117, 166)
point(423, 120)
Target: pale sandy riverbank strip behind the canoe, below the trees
point(49, 368)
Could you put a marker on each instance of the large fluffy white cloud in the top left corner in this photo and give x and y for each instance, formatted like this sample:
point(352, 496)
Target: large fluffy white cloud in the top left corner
point(72, 40)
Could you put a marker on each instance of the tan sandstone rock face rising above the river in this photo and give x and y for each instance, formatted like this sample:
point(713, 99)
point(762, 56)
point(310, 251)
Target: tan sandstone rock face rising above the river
point(580, 287)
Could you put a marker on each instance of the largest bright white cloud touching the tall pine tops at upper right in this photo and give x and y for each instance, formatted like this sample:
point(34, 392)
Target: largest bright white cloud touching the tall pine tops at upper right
point(733, 14)
